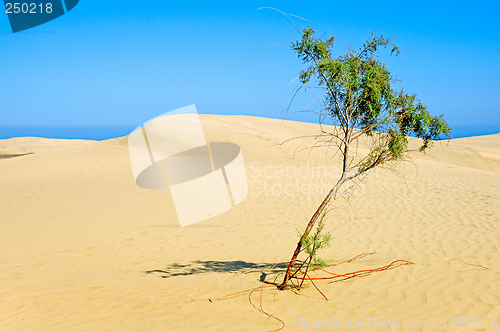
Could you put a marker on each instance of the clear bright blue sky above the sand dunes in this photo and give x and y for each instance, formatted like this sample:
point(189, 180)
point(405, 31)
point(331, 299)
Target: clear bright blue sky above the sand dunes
point(120, 63)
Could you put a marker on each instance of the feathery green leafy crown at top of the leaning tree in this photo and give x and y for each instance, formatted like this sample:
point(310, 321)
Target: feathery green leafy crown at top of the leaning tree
point(359, 94)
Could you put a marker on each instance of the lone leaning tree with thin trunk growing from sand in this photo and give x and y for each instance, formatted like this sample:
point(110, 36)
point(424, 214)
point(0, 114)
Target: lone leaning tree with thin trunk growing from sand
point(359, 98)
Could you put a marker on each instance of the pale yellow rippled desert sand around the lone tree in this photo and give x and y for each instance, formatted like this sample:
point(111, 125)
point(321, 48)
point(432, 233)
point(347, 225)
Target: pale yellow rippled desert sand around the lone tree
point(82, 248)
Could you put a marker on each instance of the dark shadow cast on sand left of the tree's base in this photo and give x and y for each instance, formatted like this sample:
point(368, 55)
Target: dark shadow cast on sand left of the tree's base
point(198, 267)
